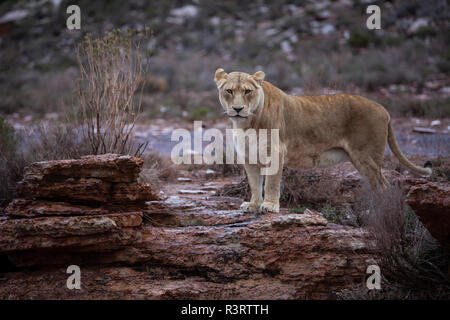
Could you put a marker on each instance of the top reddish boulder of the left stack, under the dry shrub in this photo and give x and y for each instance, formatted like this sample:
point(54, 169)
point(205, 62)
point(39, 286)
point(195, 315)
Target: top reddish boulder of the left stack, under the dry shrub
point(90, 185)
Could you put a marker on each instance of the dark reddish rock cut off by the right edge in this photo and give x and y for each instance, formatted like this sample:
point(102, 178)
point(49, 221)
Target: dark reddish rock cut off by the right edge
point(431, 203)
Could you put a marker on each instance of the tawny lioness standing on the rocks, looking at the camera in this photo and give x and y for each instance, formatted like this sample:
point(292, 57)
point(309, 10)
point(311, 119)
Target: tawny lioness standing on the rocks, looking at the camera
point(314, 131)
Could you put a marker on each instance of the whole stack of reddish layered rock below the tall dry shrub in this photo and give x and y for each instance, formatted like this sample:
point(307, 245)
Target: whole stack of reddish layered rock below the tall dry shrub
point(69, 207)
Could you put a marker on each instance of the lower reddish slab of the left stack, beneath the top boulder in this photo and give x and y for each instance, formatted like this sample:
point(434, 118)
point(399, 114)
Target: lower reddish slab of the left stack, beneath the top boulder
point(67, 232)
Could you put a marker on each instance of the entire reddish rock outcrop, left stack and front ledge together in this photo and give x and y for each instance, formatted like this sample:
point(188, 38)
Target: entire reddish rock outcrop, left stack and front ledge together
point(92, 212)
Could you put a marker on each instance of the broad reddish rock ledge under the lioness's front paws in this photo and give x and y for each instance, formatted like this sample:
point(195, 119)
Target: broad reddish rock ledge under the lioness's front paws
point(196, 249)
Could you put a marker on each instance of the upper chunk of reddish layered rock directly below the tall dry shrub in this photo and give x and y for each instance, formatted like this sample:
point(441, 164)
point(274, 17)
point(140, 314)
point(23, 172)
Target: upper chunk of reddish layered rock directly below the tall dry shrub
point(105, 179)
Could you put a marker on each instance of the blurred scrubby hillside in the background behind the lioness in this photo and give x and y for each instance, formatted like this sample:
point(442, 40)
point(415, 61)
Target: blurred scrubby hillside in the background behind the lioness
point(303, 46)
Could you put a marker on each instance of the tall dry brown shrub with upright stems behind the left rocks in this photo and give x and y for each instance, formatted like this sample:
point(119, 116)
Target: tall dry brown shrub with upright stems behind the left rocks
point(112, 69)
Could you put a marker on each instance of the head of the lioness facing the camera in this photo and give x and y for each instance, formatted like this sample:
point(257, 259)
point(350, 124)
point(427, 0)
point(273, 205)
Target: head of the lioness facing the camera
point(240, 93)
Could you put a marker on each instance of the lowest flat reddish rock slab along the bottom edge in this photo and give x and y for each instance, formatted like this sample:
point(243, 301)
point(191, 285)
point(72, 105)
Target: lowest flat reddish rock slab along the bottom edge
point(151, 283)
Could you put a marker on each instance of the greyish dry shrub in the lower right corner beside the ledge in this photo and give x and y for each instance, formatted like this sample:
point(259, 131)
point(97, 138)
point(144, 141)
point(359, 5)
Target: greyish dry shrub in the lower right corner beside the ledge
point(413, 265)
